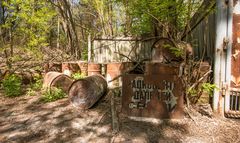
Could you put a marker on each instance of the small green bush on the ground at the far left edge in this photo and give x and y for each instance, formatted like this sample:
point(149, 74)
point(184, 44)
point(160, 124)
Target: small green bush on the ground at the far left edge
point(12, 85)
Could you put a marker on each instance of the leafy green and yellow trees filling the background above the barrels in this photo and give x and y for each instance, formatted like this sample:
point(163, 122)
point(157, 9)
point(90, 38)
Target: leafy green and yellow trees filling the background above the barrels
point(29, 26)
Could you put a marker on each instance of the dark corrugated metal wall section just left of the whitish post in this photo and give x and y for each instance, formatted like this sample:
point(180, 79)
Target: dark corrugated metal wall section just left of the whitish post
point(203, 37)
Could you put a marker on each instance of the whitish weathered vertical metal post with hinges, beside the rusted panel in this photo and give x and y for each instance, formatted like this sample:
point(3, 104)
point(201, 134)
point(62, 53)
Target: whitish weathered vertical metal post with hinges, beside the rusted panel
point(220, 57)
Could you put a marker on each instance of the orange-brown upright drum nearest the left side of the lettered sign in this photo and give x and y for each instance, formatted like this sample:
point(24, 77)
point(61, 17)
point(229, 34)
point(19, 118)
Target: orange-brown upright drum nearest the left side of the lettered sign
point(116, 69)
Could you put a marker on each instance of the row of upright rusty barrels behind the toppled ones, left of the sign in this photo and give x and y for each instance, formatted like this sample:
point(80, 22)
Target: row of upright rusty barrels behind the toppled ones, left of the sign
point(109, 71)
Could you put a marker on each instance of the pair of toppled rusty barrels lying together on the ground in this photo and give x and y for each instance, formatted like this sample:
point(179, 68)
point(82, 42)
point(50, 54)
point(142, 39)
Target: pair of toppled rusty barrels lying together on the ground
point(82, 93)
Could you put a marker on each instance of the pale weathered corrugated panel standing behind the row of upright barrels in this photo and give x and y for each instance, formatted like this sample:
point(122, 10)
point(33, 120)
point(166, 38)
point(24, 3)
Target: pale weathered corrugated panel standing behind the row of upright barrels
point(116, 50)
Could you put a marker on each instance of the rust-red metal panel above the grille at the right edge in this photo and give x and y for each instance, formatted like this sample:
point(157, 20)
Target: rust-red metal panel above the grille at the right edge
point(235, 79)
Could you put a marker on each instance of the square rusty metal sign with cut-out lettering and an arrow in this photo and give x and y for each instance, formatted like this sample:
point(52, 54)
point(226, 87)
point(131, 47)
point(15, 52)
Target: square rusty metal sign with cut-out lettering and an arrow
point(156, 96)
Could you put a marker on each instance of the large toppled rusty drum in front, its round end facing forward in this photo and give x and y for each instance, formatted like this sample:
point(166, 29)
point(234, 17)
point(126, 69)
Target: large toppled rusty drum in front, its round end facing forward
point(84, 93)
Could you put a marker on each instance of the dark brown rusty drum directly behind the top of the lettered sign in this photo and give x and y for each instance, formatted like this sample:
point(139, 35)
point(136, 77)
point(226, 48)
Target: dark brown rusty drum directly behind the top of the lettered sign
point(154, 68)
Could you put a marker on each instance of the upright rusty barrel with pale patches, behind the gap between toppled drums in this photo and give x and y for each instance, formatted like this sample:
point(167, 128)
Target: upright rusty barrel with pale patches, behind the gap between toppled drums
point(69, 68)
